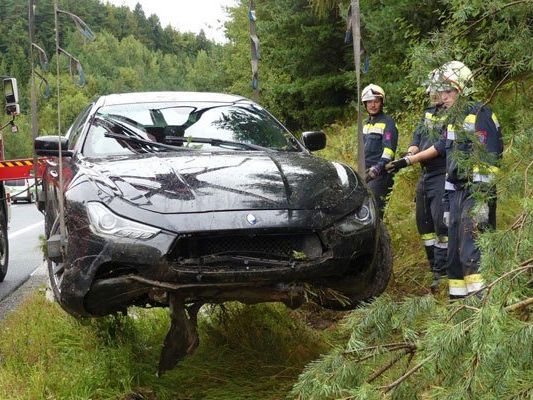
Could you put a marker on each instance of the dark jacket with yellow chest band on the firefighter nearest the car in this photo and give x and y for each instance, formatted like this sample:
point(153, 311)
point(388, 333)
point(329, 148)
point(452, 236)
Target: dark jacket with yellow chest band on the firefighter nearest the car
point(380, 137)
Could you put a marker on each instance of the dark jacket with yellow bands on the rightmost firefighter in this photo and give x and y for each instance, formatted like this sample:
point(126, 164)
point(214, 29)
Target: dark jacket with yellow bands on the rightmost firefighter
point(473, 147)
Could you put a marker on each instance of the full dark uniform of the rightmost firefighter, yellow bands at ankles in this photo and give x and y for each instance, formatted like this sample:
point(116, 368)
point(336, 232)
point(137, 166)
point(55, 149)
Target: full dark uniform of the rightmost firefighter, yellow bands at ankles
point(473, 147)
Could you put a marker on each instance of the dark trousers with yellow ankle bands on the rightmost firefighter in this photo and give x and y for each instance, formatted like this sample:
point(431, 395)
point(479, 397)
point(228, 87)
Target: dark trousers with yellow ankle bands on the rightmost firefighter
point(463, 252)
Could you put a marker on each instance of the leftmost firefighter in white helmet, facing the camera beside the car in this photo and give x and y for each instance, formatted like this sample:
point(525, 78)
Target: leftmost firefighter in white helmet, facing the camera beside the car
point(380, 138)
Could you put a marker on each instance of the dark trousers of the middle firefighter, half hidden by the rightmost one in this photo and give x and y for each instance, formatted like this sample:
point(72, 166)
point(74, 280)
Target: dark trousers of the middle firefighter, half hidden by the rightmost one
point(429, 211)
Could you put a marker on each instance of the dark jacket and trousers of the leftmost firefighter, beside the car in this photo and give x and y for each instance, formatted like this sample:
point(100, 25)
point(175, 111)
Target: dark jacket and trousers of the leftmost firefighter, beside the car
point(380, 138)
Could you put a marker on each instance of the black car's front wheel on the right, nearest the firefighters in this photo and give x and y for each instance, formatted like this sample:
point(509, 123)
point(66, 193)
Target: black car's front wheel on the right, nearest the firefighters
point(352, 291)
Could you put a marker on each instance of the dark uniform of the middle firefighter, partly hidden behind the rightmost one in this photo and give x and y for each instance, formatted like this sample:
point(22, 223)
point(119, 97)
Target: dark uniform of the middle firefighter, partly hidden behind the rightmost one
point(430, 192)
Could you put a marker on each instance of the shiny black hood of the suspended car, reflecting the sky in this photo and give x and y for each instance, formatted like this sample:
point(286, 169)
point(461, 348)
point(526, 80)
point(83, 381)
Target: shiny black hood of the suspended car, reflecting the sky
point(187, 182)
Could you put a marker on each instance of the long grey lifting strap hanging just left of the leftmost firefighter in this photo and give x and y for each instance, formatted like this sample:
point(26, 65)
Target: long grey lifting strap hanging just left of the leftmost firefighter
point(355, 21)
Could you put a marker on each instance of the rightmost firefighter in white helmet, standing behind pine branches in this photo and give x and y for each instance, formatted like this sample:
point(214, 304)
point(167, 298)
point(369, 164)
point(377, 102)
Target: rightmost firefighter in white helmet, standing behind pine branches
point(473, 147)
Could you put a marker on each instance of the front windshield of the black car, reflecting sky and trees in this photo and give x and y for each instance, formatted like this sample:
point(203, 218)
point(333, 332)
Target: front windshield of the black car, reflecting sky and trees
point(187, 126)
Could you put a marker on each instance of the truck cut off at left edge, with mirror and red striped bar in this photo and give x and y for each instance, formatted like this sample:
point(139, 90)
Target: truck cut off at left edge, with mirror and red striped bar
point(9, 169)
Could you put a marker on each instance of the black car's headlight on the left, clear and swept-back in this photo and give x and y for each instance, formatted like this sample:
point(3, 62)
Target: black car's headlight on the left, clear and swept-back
point(103, 221)
